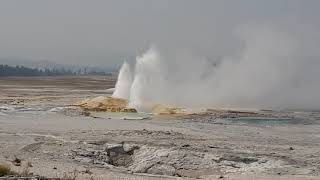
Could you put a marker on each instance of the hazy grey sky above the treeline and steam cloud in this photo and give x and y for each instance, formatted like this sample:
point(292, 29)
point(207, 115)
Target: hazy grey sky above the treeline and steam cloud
point(107, 32)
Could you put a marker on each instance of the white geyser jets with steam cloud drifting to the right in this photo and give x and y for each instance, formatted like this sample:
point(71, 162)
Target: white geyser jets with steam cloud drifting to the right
point(270, 71)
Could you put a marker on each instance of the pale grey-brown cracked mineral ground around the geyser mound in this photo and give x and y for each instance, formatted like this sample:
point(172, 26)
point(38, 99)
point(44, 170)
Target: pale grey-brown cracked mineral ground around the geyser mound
point(39, 128)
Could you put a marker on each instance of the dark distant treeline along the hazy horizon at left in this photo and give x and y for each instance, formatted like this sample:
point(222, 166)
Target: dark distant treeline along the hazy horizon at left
point(6, 70)
